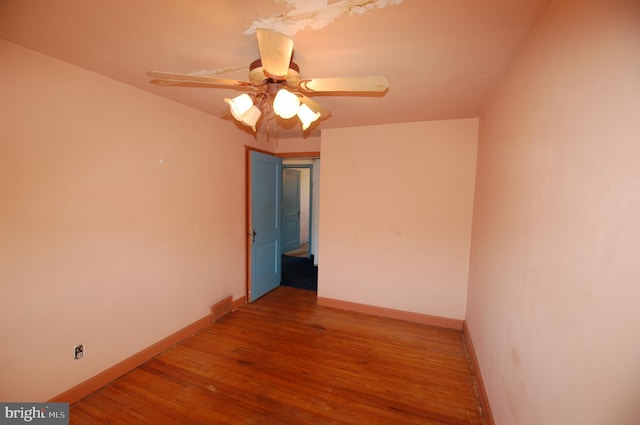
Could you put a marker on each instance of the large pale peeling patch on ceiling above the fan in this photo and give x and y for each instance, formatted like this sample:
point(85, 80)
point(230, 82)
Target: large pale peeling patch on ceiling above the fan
point(316, 14)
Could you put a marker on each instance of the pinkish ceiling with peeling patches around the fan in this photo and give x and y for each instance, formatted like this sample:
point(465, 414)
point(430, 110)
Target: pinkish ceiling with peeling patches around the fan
point(442, 57)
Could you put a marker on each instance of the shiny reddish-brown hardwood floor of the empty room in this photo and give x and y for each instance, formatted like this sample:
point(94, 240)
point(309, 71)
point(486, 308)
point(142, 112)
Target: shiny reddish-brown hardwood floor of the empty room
point(285, 360)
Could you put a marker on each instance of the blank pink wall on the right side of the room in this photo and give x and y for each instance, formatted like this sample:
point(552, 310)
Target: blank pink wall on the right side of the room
point(555, 274)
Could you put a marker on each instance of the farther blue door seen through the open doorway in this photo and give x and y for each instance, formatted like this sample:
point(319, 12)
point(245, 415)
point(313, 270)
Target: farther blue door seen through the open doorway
point(290, 209)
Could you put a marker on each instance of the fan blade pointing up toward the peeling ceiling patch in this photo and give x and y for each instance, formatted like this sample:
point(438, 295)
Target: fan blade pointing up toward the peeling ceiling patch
point(275, 52)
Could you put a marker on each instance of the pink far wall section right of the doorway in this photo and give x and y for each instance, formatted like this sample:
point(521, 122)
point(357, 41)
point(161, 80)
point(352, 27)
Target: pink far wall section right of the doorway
point(395, 215)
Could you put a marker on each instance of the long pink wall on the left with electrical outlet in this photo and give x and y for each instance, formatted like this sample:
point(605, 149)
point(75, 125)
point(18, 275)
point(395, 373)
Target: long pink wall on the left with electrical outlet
point(121, 221)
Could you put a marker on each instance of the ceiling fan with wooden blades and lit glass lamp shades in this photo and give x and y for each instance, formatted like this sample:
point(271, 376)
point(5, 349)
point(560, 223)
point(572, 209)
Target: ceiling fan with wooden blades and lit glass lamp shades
point(274, 86)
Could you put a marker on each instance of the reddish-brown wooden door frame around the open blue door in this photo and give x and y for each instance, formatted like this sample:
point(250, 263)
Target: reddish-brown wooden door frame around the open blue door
point(247, 202)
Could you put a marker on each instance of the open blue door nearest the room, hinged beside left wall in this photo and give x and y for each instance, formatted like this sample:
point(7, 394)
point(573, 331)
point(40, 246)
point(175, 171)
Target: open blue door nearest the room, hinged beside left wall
point(265, 224)
